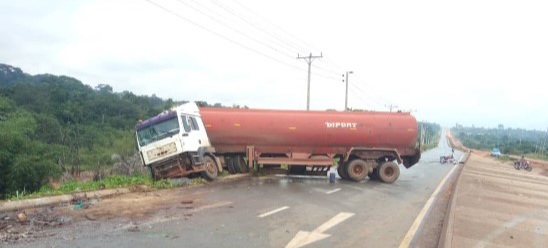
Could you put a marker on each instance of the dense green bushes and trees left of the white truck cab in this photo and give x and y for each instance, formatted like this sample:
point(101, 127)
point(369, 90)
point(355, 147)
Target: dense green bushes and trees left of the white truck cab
point(53, 126)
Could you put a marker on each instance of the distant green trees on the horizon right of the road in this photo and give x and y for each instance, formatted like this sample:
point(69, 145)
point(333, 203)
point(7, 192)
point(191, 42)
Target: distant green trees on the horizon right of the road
point(530, 143)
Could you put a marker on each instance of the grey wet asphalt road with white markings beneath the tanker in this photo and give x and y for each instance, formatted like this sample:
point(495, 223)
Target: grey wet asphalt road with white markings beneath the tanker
point(278, 211)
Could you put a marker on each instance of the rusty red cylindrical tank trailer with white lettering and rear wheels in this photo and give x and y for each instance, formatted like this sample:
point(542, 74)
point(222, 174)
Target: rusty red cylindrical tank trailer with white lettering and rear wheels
point(365, 143)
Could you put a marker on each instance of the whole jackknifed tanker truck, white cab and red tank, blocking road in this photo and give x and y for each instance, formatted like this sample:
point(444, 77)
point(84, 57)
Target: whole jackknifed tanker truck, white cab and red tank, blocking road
point(187, 139)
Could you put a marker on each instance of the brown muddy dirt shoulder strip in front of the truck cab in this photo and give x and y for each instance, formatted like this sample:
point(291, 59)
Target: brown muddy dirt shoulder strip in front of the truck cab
point(34, 221)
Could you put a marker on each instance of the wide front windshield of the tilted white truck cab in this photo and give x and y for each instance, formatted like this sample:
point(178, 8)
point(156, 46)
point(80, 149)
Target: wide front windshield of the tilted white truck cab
point(158, 131)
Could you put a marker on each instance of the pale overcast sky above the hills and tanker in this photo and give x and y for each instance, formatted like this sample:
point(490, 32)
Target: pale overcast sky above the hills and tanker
point(480, 63)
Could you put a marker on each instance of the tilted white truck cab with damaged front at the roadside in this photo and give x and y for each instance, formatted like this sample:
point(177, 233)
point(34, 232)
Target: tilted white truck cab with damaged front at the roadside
point(175, 143)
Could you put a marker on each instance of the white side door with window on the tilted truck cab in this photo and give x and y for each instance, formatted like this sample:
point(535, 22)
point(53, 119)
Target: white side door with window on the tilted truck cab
point(193, 134)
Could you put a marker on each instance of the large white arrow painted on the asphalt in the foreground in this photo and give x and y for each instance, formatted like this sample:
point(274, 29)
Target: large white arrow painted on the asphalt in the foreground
point(304, 238)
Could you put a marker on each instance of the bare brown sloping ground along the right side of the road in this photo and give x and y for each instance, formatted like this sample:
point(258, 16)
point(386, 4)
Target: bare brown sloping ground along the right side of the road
point(497, 206)
